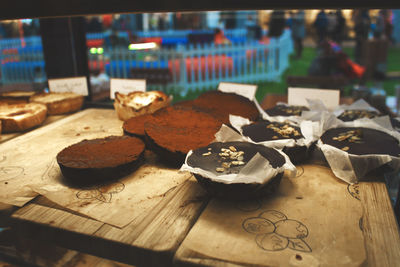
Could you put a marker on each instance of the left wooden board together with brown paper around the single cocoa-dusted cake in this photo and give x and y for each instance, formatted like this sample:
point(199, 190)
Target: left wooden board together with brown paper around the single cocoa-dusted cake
point(150, 239)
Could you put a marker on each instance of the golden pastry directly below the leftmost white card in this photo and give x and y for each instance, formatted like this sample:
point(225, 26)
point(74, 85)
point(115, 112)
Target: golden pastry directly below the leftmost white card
point(59, 103)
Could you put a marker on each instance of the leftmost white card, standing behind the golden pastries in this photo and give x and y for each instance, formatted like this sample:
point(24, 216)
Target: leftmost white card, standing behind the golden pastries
point(76, 85)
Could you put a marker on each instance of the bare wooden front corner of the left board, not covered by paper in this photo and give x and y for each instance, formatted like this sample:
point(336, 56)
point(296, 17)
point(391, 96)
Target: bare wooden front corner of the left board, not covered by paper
point(150, 240)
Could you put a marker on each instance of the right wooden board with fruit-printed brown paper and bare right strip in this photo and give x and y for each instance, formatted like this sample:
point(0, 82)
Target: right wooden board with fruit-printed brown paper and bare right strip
point(314, 220)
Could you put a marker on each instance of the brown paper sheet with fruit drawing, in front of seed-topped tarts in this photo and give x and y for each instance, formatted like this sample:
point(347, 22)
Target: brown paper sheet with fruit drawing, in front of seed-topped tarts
point(326, 206)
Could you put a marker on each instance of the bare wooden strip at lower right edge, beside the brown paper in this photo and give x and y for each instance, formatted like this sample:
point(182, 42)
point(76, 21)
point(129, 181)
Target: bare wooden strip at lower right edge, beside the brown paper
point(380, 228)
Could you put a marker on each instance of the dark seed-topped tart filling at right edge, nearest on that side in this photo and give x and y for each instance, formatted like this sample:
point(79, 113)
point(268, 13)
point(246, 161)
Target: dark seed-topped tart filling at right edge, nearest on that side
point(362, 141)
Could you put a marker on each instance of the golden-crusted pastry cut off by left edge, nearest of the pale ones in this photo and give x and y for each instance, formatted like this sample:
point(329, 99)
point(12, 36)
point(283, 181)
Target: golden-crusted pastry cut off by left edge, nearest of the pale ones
point(19, 117)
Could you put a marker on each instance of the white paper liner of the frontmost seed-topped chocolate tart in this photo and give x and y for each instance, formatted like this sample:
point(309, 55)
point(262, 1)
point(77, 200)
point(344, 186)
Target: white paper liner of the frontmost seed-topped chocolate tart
point(257, 170)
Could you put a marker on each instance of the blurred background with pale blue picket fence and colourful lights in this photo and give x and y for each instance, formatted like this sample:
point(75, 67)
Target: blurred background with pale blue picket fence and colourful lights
point(186, 53)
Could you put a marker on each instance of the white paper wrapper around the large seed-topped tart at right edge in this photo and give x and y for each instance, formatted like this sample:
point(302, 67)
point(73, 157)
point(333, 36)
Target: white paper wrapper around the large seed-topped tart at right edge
point(349, 167)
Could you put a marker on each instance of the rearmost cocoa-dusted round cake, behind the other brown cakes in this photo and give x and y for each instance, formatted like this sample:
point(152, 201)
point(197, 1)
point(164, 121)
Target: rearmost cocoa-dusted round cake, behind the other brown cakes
point(221, 104)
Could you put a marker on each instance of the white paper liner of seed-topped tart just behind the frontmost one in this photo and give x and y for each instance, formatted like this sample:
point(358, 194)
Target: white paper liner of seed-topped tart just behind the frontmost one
point(305, 125)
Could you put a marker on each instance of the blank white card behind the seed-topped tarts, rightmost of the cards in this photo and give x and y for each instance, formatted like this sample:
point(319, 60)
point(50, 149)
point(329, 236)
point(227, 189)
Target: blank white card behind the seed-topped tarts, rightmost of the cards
point(299, 96)
